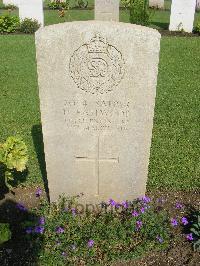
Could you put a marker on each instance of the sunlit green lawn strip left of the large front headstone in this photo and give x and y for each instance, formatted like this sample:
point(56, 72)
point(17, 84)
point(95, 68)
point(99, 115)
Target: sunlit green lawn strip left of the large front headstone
point(19, 104)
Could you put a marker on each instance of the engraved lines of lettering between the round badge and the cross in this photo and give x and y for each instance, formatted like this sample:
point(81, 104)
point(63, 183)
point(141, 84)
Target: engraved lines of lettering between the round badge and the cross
point(97, 115)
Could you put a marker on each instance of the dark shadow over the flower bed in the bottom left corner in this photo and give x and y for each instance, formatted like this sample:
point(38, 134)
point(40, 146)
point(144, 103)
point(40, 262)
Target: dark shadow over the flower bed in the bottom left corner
point(18, 250)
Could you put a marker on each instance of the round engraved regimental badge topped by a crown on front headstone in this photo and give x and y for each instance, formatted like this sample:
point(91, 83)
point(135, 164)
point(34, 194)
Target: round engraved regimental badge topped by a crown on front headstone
point(97, 67)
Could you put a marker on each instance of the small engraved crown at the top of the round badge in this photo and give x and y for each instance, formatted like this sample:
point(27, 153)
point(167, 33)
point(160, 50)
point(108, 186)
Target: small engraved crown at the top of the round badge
point(97, 44)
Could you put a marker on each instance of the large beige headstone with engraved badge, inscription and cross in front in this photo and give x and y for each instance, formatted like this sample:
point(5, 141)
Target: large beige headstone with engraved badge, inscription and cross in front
point(97, 86)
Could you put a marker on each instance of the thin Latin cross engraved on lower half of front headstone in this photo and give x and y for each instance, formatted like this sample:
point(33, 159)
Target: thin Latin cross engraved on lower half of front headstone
point(97, 159)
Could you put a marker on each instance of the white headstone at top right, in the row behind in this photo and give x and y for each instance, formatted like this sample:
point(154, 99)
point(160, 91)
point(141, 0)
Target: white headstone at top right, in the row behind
point(182, 15)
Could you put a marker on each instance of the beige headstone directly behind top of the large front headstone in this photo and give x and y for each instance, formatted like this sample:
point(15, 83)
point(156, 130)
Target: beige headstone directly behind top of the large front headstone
point(107, 10)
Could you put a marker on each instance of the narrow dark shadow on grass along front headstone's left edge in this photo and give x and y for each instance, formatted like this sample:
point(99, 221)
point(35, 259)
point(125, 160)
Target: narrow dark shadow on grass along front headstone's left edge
point(39, 148)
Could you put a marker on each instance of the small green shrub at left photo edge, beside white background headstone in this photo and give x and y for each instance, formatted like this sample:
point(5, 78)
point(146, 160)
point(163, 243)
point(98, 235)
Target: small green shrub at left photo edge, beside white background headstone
point(9, 24)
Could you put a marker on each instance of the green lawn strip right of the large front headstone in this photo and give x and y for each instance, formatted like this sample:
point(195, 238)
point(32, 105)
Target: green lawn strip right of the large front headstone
point(174, 160)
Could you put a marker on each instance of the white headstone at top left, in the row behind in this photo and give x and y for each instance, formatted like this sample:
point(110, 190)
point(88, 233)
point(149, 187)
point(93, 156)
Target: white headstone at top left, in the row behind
point(31, 9)
